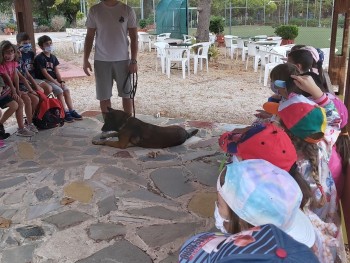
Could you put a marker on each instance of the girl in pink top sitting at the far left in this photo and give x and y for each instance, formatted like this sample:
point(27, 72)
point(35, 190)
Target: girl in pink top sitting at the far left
point(8, 71)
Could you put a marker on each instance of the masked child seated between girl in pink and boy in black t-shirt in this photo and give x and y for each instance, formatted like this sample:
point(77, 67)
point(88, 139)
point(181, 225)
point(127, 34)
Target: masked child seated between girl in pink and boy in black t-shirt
point(26, 63)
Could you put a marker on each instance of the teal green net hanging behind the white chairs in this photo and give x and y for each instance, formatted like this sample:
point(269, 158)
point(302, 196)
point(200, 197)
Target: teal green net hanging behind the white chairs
point(171, 17)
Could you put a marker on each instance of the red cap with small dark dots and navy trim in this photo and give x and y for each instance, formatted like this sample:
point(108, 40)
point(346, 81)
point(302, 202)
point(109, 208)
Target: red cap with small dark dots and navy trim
point(265, 141)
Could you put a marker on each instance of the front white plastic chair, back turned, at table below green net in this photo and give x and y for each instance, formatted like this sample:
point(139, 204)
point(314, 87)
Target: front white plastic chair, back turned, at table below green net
point(175, 54)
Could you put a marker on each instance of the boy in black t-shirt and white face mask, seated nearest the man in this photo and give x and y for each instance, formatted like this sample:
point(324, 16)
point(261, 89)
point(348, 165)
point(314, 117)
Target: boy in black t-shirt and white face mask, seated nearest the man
point(46, 68)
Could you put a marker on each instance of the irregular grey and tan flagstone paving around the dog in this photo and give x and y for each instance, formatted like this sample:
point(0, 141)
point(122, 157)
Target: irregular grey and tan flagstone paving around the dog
point(71, 201)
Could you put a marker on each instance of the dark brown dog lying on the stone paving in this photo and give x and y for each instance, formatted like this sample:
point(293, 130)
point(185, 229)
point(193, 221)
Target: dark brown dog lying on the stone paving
point(133, 132)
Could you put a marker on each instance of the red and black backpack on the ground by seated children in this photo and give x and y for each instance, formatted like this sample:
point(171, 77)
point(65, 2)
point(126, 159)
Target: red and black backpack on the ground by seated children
point(49, 113)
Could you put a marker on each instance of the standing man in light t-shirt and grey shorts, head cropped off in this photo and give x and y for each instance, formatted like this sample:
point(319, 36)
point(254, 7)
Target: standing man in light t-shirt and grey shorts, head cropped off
point(111, 21)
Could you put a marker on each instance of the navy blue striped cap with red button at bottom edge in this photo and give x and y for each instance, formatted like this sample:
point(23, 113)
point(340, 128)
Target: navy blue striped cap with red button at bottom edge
point(266, 243)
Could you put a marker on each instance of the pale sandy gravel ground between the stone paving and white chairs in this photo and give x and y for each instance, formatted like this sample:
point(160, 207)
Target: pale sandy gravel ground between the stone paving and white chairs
point(227, 93)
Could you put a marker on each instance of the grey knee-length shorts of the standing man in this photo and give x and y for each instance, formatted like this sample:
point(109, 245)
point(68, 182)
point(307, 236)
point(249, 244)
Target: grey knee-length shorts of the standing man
point(108, 71)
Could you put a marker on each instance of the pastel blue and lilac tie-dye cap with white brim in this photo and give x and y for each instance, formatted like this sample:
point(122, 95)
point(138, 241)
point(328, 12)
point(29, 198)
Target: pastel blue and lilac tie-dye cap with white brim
point(261, 193)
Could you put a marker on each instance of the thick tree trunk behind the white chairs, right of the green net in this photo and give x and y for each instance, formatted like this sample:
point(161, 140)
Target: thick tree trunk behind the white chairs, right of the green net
point(204, 8)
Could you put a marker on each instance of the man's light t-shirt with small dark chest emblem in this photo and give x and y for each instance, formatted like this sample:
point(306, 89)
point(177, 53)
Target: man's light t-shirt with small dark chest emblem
point(111, 24)
